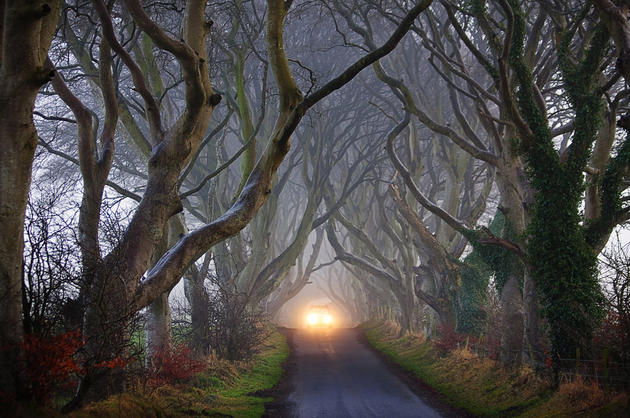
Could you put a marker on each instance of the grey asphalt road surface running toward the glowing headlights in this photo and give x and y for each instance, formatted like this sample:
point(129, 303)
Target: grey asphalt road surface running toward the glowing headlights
point(334, 374)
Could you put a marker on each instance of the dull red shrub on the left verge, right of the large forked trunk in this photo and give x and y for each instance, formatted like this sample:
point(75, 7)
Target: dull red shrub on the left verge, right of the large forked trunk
point(173, 365)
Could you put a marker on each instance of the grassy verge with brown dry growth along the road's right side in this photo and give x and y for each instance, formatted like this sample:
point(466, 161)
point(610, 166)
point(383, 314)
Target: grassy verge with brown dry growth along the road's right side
point(484, 388)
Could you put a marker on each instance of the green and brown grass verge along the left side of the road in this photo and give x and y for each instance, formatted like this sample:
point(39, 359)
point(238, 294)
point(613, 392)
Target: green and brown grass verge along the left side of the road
point(225, 389)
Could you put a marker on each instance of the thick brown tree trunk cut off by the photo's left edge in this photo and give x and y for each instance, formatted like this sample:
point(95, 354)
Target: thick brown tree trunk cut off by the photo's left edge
point(27, 30)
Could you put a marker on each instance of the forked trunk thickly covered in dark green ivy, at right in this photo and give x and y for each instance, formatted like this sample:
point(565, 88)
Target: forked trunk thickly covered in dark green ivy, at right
point(563, 264)
